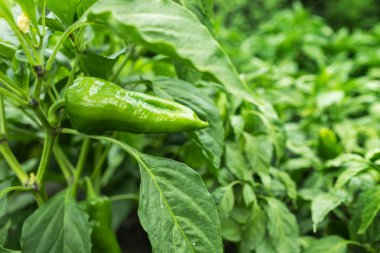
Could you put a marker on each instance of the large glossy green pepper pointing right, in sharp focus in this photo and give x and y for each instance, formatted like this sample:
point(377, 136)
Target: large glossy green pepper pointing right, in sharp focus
point(95, 105)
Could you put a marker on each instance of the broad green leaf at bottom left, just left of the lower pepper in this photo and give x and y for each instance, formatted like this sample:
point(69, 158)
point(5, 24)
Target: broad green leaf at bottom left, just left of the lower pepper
point(58, 226)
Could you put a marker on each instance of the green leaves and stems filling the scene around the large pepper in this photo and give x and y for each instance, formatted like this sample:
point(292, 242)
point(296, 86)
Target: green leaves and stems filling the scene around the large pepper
point(298, 174)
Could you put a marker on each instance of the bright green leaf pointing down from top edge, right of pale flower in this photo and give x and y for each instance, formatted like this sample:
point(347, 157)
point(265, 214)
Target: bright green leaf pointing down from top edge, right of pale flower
point(64, 10)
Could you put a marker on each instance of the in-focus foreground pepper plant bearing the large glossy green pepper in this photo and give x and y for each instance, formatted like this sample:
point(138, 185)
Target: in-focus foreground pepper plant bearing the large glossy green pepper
point(45, 46)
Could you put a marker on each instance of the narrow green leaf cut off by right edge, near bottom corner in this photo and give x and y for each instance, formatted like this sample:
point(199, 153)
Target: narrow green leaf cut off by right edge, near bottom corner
point(371, 209)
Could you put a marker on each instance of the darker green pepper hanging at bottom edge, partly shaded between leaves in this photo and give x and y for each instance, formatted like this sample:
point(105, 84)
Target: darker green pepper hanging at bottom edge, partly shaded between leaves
point(102, 237)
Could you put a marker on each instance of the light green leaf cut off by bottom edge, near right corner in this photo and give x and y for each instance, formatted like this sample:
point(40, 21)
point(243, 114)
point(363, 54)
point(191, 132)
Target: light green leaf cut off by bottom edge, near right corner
point(328, 244)
